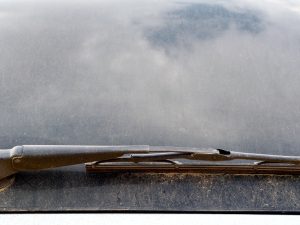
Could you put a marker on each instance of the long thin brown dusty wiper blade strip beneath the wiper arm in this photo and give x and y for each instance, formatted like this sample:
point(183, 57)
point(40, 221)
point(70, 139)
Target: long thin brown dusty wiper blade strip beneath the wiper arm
point(171, 167)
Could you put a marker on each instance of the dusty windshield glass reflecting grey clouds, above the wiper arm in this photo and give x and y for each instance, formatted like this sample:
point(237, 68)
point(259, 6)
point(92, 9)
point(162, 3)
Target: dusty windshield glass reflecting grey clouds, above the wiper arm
point(221, 74)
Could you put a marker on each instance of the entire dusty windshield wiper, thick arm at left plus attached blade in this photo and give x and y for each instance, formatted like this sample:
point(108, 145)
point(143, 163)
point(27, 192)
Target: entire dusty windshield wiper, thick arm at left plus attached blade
point(38, 157)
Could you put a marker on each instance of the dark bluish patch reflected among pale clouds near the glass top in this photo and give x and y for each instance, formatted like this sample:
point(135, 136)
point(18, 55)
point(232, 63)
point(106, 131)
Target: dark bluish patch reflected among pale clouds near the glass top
point(202, 21)
